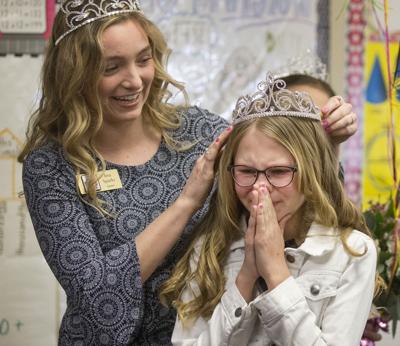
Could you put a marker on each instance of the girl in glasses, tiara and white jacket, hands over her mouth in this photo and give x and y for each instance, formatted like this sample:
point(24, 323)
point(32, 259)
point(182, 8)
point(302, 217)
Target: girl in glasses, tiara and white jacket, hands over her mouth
point(282, 257)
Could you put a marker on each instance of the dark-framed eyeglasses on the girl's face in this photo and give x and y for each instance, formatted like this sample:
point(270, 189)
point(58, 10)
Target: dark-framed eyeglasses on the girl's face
point(277, 176)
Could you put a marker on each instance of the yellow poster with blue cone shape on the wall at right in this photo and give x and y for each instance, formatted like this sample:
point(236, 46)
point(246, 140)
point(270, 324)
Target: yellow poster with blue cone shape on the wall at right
point(377, 175)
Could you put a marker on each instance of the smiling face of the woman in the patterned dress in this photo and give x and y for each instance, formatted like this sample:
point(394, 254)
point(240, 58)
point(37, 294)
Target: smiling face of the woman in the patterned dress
point(129, 71)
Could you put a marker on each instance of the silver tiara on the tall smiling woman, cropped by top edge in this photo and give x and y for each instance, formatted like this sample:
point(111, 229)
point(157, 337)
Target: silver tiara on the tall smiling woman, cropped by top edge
point(81, 12)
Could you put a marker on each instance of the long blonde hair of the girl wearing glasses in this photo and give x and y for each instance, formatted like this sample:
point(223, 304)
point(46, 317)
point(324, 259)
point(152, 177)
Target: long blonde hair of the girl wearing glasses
point(325, 203)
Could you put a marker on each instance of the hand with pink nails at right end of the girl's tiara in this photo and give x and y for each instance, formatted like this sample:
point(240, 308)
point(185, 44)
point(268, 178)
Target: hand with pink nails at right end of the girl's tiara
point(339, 120)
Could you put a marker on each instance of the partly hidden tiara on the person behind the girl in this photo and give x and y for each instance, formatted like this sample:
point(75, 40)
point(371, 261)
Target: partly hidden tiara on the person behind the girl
point(308, 64)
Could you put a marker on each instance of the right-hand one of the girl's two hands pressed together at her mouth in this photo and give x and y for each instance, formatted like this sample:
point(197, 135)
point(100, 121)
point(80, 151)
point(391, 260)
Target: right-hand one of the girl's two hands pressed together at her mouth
point(269, 242)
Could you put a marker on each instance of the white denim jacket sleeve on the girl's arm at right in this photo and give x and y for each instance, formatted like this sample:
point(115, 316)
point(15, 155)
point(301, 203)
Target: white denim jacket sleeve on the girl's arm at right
point(288, 320)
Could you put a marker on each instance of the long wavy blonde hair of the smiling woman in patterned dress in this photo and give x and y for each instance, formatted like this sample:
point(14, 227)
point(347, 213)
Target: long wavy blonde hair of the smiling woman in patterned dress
point(70, 112)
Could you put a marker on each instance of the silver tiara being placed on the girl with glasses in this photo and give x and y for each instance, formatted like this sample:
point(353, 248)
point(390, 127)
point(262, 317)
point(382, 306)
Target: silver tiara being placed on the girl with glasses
point(273, 99)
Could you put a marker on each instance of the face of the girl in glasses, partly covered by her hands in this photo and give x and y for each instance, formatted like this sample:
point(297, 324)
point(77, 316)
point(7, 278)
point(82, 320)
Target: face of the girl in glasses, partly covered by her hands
point(259, 151)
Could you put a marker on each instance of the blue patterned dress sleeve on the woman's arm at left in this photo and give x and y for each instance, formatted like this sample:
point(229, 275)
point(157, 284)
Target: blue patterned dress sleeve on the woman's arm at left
point(104, 289)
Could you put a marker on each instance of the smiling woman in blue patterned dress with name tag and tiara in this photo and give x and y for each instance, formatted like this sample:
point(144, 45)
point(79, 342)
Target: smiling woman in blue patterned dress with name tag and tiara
point(115, 177)
